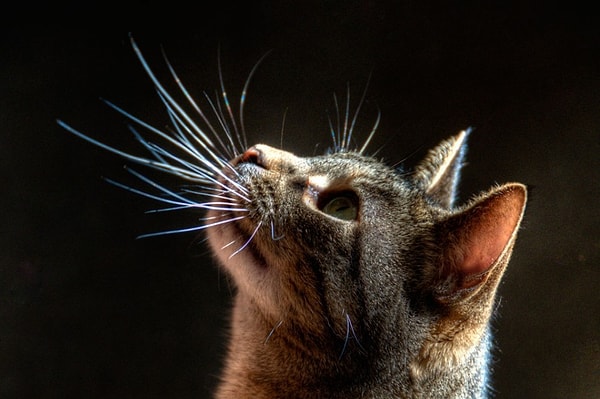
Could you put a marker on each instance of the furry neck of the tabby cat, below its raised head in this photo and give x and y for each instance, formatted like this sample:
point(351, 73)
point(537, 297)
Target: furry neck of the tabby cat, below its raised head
point(269, 359)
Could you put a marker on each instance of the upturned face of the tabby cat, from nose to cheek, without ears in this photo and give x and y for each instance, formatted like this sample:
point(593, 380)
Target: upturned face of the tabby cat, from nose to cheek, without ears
point(306, 237)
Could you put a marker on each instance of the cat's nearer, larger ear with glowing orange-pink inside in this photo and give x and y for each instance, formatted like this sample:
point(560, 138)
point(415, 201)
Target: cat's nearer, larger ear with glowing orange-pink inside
point(477, 243)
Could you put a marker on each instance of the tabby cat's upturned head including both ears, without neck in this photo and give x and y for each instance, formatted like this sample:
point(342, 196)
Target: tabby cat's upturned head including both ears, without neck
point(342, 248)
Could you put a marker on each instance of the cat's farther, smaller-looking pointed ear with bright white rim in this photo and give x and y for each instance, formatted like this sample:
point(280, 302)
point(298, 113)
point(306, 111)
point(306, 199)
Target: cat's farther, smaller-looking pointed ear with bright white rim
point(438, 174)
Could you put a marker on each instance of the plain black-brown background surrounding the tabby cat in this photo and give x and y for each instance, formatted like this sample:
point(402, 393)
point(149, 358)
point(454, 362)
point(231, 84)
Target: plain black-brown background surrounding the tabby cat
point(86, 310)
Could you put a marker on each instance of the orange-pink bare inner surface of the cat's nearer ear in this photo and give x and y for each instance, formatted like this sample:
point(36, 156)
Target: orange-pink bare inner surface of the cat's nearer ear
point(487, 229)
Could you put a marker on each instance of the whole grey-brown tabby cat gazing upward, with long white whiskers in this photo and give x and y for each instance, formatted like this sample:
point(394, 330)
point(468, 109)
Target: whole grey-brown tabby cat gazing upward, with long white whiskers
point(353, 279)
